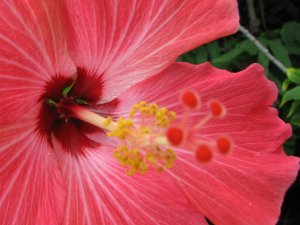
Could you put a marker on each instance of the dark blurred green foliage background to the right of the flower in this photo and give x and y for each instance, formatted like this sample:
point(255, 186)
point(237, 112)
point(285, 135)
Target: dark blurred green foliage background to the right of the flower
point(276, 25)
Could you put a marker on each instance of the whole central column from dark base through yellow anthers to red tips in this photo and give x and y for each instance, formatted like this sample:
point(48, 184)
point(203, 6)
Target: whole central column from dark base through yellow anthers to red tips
point(148, 133)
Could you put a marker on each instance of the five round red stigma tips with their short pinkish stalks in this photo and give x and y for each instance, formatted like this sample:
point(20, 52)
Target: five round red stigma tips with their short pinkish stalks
point(177, 135)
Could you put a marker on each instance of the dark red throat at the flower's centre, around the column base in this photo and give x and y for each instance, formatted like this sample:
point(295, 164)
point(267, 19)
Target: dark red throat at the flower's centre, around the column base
point(57, 123)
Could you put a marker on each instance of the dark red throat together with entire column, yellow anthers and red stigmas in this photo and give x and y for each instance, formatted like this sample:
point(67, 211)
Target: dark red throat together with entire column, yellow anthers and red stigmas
point(148, 137)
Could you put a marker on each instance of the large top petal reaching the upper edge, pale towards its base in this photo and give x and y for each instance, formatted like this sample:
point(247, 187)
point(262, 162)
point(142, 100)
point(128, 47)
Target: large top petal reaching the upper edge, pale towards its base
point(128, 41)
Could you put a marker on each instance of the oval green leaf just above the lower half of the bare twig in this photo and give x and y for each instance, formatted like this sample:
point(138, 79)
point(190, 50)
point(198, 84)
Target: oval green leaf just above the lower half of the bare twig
point(280, 52)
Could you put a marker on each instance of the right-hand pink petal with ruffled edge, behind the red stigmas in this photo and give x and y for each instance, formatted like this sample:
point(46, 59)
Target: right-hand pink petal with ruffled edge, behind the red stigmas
point(248, 186)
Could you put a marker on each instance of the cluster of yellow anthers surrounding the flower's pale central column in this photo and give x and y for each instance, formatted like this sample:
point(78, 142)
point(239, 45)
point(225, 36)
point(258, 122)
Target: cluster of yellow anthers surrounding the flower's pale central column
point(142, 138)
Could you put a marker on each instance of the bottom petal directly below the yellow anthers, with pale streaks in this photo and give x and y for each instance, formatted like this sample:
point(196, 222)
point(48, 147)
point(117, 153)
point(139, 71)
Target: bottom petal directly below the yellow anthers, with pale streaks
point(99, 192)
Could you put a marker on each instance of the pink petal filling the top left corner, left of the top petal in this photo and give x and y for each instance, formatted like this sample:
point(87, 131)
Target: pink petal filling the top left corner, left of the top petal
point(32, 50)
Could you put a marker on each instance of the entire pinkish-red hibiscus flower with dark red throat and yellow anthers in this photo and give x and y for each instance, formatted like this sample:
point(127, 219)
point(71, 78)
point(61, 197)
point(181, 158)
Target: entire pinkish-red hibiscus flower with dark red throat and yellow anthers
point(64, 63)
